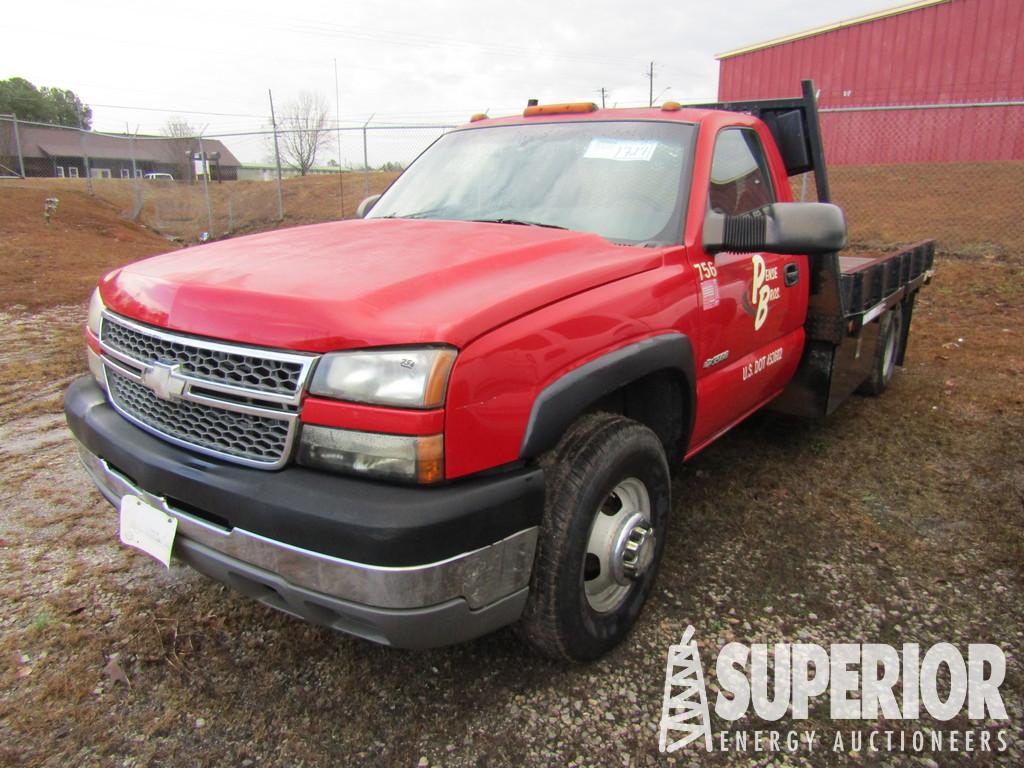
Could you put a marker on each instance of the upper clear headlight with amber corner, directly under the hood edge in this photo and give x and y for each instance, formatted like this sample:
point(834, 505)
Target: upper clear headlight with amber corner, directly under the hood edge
point(406, 378)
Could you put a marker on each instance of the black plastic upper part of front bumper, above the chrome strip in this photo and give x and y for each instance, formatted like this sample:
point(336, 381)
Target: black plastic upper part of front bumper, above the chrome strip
point(356, 520)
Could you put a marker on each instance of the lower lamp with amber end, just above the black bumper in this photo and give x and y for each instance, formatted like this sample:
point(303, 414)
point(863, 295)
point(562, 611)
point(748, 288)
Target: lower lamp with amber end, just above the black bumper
point(415, 458)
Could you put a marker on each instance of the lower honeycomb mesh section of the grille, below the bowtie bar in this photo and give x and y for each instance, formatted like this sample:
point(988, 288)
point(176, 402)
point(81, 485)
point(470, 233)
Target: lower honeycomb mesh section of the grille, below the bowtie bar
point(243, 436)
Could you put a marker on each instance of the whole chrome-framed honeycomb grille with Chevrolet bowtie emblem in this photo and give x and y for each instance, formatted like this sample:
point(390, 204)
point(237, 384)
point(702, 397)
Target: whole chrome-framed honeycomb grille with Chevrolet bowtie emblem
point(236, 403)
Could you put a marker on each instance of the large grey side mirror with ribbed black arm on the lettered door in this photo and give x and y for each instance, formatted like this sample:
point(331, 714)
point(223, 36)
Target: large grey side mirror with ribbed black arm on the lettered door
point(781, 228)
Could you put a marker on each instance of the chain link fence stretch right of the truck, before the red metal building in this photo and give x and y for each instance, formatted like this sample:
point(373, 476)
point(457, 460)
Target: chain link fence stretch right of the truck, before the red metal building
point(953, 173)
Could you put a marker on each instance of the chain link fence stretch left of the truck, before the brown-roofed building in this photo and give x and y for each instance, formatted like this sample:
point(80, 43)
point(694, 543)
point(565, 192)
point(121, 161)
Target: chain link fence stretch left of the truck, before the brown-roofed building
point(200, 188)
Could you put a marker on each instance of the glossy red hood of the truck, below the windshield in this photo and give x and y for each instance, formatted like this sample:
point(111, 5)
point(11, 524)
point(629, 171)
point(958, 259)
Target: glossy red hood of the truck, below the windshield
point(367, 283)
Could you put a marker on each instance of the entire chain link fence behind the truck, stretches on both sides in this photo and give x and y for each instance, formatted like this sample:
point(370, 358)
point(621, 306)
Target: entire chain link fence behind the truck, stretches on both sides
point(955, 173)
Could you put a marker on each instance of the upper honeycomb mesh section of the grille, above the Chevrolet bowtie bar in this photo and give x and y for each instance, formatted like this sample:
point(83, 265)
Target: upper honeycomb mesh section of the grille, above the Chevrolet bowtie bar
point(278, 376)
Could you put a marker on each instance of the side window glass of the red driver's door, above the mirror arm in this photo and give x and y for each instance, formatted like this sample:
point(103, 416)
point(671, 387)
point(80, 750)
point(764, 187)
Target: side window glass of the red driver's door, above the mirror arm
point(740, 180)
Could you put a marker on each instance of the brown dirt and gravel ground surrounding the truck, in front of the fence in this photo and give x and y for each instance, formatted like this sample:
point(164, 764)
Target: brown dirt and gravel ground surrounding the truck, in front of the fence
point(898, 521)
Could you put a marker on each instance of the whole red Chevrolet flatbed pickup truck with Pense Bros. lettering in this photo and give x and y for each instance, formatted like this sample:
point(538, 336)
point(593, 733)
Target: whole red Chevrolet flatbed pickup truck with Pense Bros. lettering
point(461, 412)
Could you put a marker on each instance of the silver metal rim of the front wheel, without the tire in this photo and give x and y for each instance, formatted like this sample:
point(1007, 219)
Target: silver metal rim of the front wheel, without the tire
point(620, 547)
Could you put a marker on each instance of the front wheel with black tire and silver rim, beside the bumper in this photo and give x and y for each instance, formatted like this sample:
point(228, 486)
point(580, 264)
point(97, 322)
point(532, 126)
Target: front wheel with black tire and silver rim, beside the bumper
point(602, 539)
